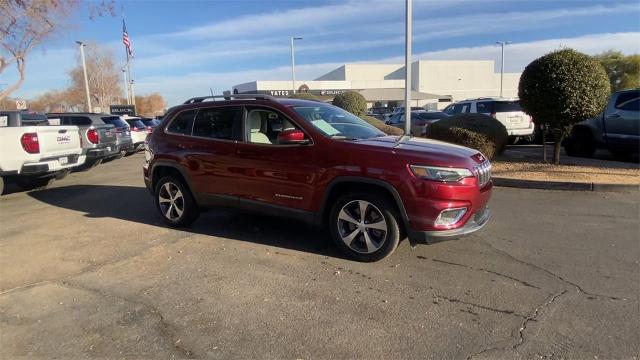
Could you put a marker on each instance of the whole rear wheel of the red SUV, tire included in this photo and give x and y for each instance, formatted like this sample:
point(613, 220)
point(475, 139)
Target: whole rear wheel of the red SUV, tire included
point(175, 202)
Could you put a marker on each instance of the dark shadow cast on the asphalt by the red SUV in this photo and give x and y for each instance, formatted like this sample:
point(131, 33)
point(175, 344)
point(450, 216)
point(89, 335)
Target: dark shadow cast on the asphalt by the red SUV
point(136, 204)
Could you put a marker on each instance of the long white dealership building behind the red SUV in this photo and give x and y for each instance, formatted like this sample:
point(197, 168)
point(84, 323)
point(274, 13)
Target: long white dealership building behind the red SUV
point(435, 83)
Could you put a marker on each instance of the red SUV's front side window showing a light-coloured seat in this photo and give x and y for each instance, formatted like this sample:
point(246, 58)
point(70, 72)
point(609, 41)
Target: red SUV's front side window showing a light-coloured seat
point(264, 125)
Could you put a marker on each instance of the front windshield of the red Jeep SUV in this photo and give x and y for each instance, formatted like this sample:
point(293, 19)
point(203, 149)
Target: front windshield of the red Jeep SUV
point(335, 122)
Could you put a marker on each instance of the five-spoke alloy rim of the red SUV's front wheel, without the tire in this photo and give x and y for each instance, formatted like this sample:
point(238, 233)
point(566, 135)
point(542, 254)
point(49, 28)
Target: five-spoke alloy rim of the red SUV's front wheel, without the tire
point(361, 226)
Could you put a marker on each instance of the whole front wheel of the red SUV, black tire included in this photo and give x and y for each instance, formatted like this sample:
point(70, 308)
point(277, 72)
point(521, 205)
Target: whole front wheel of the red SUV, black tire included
point(365, 226)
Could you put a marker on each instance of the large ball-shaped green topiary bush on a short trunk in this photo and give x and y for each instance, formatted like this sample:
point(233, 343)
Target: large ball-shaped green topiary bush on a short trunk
point(562, 88)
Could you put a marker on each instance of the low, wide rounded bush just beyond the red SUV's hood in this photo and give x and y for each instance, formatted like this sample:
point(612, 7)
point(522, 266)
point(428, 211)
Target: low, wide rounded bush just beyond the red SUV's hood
point(477, 131)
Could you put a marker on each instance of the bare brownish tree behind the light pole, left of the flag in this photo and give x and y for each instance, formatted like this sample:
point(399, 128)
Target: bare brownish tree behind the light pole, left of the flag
point(103, 77)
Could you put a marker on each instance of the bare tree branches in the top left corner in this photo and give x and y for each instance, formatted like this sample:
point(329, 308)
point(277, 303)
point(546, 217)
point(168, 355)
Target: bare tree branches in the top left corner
point(26, 24)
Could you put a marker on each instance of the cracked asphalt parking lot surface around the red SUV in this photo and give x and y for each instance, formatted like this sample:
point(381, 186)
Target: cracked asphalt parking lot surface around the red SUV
point(87, 269)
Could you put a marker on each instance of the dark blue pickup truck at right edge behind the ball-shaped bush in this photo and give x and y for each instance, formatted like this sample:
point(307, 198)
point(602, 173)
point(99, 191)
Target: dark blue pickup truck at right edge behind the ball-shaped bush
point(617, 128)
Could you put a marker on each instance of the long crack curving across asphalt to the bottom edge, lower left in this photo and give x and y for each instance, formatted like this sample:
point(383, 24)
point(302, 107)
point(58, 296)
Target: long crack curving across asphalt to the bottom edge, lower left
point(165, 328)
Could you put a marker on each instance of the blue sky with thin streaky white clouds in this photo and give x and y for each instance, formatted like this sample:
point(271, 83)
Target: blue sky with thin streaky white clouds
point(182, 48)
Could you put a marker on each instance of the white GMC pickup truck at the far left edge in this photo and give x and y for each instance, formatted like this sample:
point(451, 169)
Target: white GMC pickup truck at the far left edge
point(33, 153)
